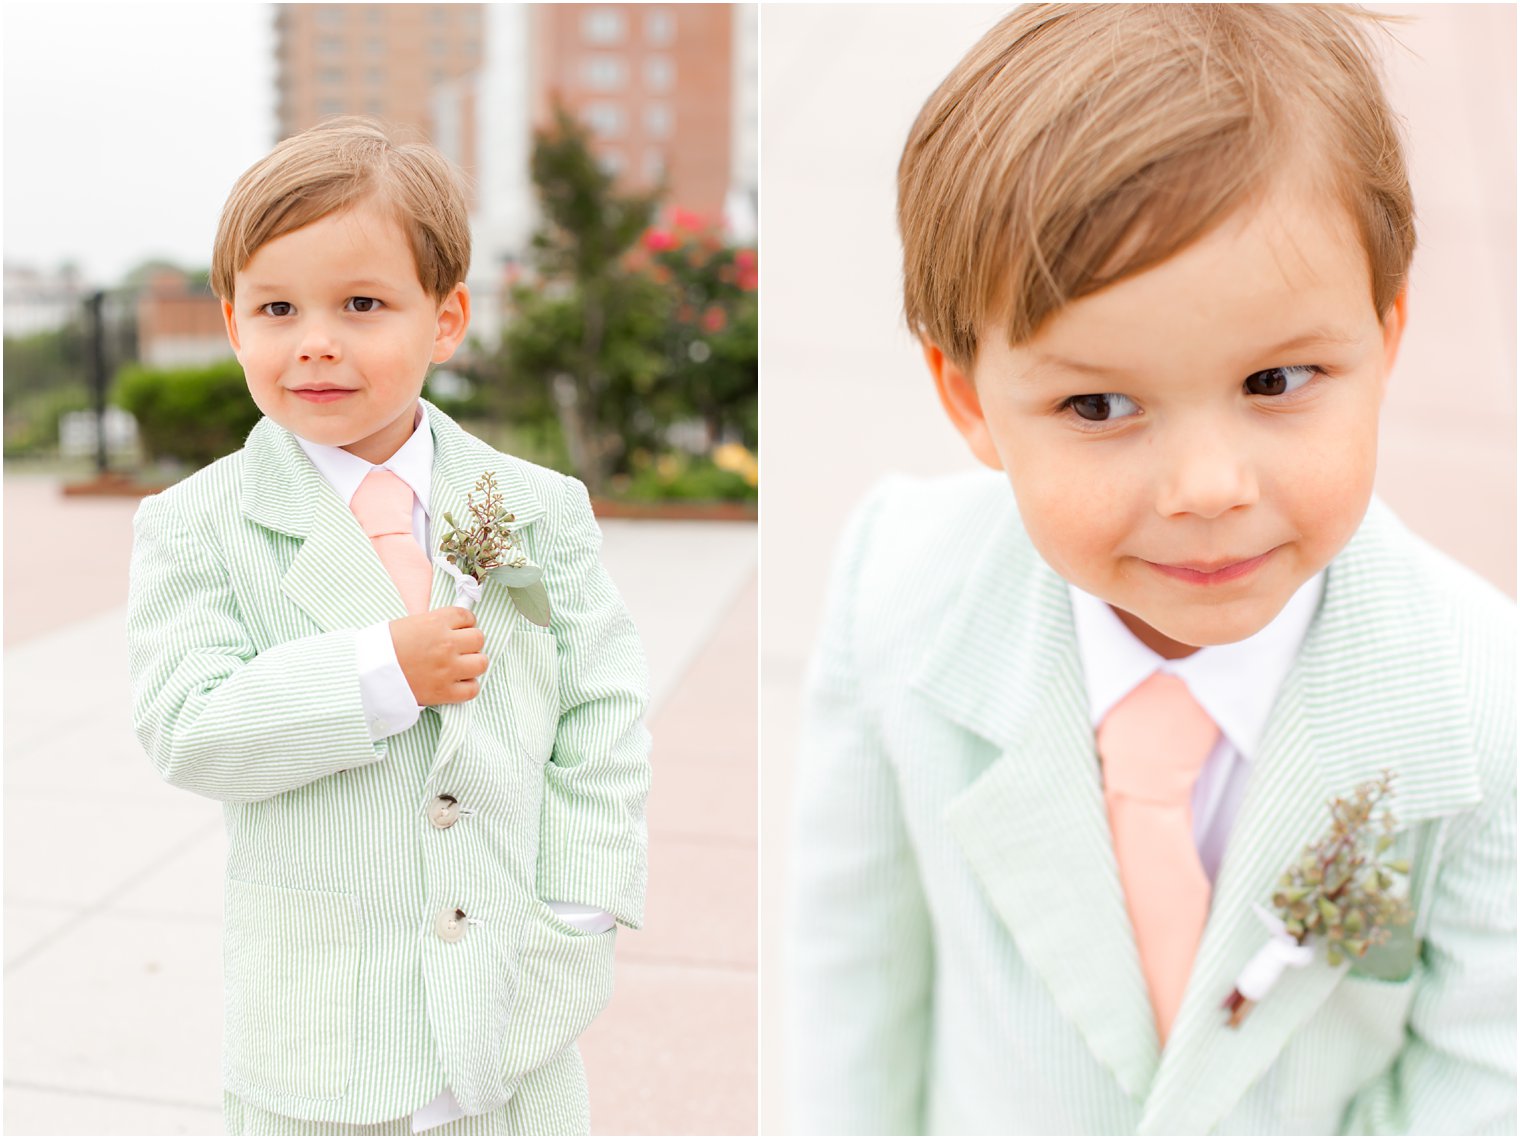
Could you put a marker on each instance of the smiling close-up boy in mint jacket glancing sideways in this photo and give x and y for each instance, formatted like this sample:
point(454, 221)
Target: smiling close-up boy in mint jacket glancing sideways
point(1157, 258)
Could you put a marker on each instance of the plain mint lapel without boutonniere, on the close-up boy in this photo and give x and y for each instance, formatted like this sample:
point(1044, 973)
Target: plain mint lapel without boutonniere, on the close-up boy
point(1033, 825)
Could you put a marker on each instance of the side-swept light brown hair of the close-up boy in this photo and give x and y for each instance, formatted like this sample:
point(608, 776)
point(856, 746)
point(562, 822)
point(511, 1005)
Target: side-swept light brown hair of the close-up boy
point(1078, 145)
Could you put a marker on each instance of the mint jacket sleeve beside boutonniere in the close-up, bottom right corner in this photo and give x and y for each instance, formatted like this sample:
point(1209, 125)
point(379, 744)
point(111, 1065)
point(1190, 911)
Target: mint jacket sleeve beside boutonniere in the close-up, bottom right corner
point(1457, 1073)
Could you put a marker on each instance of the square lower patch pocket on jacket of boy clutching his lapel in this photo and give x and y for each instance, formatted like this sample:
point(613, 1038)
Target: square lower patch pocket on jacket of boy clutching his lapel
point(293, 972)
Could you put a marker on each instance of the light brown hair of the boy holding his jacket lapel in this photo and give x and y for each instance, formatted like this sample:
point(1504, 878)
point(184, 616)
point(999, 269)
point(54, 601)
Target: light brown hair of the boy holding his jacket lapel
point(332, 168)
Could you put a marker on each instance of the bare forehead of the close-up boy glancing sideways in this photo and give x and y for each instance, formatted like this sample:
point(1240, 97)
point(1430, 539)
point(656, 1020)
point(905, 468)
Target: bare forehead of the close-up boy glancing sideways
point(1278, 268)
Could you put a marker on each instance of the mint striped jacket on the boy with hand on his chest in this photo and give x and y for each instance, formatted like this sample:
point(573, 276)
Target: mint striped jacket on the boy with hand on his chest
point(346, 1001)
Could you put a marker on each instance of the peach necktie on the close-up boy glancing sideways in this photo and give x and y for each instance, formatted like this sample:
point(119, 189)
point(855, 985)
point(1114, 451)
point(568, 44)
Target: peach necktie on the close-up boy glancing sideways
point(1153, 746)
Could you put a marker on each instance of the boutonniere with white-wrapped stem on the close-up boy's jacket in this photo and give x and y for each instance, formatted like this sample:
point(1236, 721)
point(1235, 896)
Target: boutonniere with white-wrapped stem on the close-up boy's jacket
point(1341, 892)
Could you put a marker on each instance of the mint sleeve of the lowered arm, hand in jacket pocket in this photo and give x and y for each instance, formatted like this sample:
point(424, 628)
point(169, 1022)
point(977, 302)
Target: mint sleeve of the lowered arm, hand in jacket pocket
point(594, 840)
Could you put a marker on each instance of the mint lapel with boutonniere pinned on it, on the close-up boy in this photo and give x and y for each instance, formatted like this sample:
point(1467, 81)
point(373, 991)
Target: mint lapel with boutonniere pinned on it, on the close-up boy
point(1376, 650)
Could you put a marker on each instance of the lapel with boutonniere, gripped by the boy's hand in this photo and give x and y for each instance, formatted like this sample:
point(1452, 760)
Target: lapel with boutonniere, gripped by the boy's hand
point(460, 460)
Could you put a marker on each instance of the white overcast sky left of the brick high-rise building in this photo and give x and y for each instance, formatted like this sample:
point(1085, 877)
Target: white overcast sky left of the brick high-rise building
point(125, 127)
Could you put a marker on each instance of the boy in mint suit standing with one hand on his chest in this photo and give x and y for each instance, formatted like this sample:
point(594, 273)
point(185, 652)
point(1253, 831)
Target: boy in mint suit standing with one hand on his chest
point(434, 814)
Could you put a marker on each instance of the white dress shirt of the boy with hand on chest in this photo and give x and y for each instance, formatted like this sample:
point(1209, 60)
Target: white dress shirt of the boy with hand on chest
point(390, 705)
